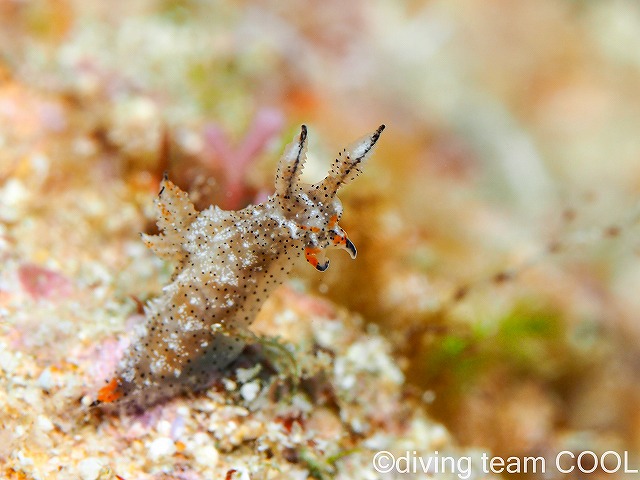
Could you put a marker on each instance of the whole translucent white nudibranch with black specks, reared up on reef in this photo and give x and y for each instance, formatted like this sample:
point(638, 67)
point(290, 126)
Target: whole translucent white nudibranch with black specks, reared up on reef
point(226, 264)
